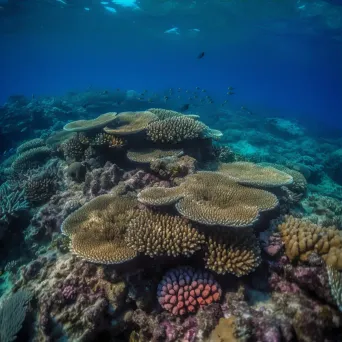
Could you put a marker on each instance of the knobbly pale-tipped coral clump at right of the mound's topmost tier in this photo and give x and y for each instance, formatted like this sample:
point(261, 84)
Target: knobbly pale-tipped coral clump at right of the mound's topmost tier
point(175, 130)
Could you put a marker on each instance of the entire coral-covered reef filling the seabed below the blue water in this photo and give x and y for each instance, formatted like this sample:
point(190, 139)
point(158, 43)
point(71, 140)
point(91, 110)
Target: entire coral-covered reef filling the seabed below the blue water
point(154, 226)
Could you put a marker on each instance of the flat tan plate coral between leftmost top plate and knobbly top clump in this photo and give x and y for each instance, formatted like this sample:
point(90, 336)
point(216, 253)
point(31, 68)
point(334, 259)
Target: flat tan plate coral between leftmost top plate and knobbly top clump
point(131, 122)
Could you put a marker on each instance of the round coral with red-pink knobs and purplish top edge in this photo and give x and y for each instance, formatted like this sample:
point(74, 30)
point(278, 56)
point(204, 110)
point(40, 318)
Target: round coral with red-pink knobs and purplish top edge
point(184, 290)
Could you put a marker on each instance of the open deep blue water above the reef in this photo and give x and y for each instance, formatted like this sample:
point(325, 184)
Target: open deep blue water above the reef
point(282, 58)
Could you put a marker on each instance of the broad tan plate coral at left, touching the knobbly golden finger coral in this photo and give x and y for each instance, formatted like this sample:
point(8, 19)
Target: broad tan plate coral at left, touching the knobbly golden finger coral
point(97, 230)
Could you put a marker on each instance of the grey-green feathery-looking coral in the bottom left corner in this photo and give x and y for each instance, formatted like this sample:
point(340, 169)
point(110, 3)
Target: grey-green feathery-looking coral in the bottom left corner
point(12, 315)
